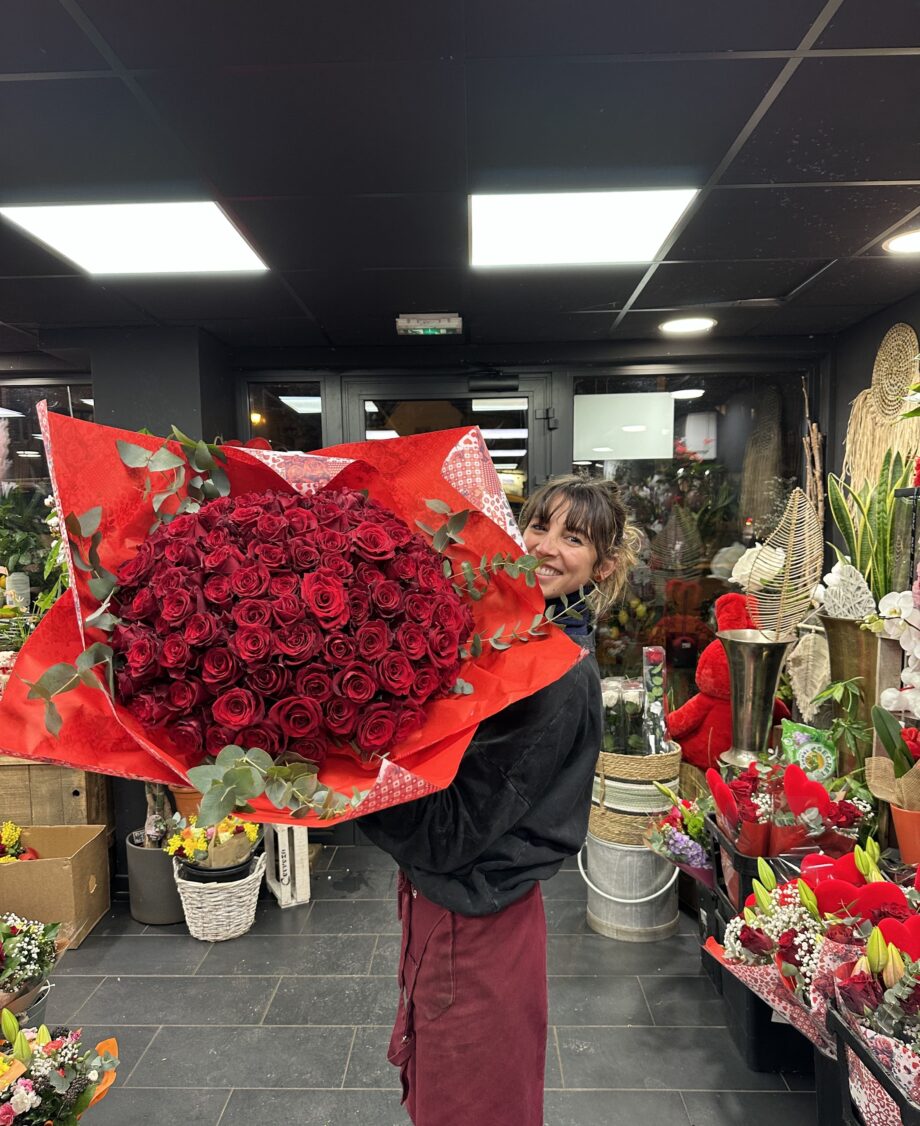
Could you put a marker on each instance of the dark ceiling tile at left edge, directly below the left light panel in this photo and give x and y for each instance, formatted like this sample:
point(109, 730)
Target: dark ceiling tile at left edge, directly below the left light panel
point(50, 302)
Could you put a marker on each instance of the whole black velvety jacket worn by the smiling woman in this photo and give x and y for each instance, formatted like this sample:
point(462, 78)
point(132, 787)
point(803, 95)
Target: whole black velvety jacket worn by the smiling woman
point(517, 808)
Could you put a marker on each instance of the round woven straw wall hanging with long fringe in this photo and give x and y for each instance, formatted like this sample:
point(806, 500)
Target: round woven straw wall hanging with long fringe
point(876, 422)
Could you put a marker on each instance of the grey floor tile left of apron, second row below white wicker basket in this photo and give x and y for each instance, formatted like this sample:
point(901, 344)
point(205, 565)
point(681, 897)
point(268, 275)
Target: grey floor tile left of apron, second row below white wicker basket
point(334, 1002)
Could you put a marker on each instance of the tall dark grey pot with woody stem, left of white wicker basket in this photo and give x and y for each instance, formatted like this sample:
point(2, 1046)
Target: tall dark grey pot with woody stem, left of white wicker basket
point(151, 887)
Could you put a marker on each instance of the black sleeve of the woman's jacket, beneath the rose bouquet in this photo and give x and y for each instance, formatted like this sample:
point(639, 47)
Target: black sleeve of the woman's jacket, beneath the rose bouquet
point(512, 762)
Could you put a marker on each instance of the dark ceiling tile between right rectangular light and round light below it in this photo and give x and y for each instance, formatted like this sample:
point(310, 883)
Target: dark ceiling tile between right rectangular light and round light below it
point(680, 284)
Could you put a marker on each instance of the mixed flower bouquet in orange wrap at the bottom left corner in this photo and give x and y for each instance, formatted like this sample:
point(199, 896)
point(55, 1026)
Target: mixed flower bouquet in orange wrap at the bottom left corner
point(46, 1077)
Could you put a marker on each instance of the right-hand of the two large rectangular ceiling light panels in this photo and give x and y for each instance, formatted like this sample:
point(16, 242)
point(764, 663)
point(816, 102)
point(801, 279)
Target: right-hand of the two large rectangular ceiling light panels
point(574, 228)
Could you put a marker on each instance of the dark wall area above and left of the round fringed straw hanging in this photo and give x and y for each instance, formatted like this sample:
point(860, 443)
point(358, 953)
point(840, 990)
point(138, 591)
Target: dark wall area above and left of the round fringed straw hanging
point(854, 358)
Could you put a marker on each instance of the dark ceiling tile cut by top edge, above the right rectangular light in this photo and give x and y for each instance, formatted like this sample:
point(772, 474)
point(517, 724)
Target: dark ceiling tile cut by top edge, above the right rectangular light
point(593, 28)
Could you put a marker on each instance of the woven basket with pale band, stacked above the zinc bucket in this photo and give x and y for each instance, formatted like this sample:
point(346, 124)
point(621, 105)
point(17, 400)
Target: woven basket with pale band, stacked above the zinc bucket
point(626, 797)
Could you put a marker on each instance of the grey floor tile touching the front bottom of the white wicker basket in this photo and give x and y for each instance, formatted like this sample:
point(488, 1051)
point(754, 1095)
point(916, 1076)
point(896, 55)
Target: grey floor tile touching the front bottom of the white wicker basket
point(288, 954)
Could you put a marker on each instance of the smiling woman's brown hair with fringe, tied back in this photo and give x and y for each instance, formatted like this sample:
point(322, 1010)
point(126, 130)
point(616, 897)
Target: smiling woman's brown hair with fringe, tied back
point(597, 511)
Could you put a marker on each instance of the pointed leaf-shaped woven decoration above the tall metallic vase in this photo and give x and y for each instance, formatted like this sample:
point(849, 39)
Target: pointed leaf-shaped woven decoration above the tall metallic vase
point(780, 595)
